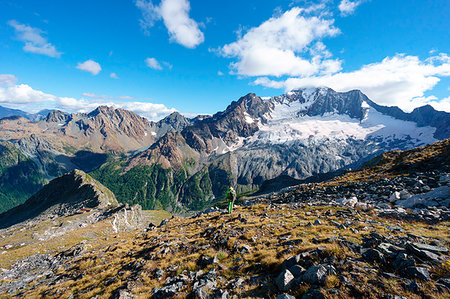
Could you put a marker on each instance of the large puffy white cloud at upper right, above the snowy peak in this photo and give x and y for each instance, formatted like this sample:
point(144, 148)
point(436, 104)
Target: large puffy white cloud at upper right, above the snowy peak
point(285, 45)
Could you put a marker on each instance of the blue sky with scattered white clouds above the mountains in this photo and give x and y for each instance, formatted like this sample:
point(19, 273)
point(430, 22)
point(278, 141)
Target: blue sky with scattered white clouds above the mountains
point(196, 56)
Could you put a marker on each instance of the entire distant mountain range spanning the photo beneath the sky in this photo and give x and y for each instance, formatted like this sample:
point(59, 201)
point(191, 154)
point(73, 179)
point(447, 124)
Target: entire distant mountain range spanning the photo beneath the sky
point(181, 164)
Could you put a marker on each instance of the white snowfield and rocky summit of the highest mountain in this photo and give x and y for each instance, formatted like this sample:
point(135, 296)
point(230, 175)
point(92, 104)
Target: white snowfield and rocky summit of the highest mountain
point(314, 115)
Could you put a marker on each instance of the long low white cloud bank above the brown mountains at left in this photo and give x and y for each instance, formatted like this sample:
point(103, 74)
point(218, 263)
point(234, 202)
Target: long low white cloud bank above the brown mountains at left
point(24, 97)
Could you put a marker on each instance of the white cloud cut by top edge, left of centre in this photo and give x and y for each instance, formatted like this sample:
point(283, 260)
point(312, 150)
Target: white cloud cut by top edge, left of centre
point(175, 14)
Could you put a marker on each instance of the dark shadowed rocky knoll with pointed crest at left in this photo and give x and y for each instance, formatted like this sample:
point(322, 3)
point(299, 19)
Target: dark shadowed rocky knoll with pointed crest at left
point(63, 196)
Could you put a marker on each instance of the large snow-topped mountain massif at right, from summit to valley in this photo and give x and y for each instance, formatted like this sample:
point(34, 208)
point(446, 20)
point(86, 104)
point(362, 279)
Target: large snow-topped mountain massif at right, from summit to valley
point(304, 133)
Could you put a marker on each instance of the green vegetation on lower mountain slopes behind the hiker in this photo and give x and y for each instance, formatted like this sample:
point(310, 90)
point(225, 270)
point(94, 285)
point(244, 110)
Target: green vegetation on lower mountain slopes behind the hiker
point(154, 187)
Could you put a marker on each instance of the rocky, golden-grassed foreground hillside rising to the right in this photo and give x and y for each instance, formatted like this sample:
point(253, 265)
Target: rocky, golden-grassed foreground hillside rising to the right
point(354, 239)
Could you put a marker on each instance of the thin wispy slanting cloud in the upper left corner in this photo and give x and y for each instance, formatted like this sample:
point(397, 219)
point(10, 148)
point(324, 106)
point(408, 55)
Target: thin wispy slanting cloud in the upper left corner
point(33, 39)
